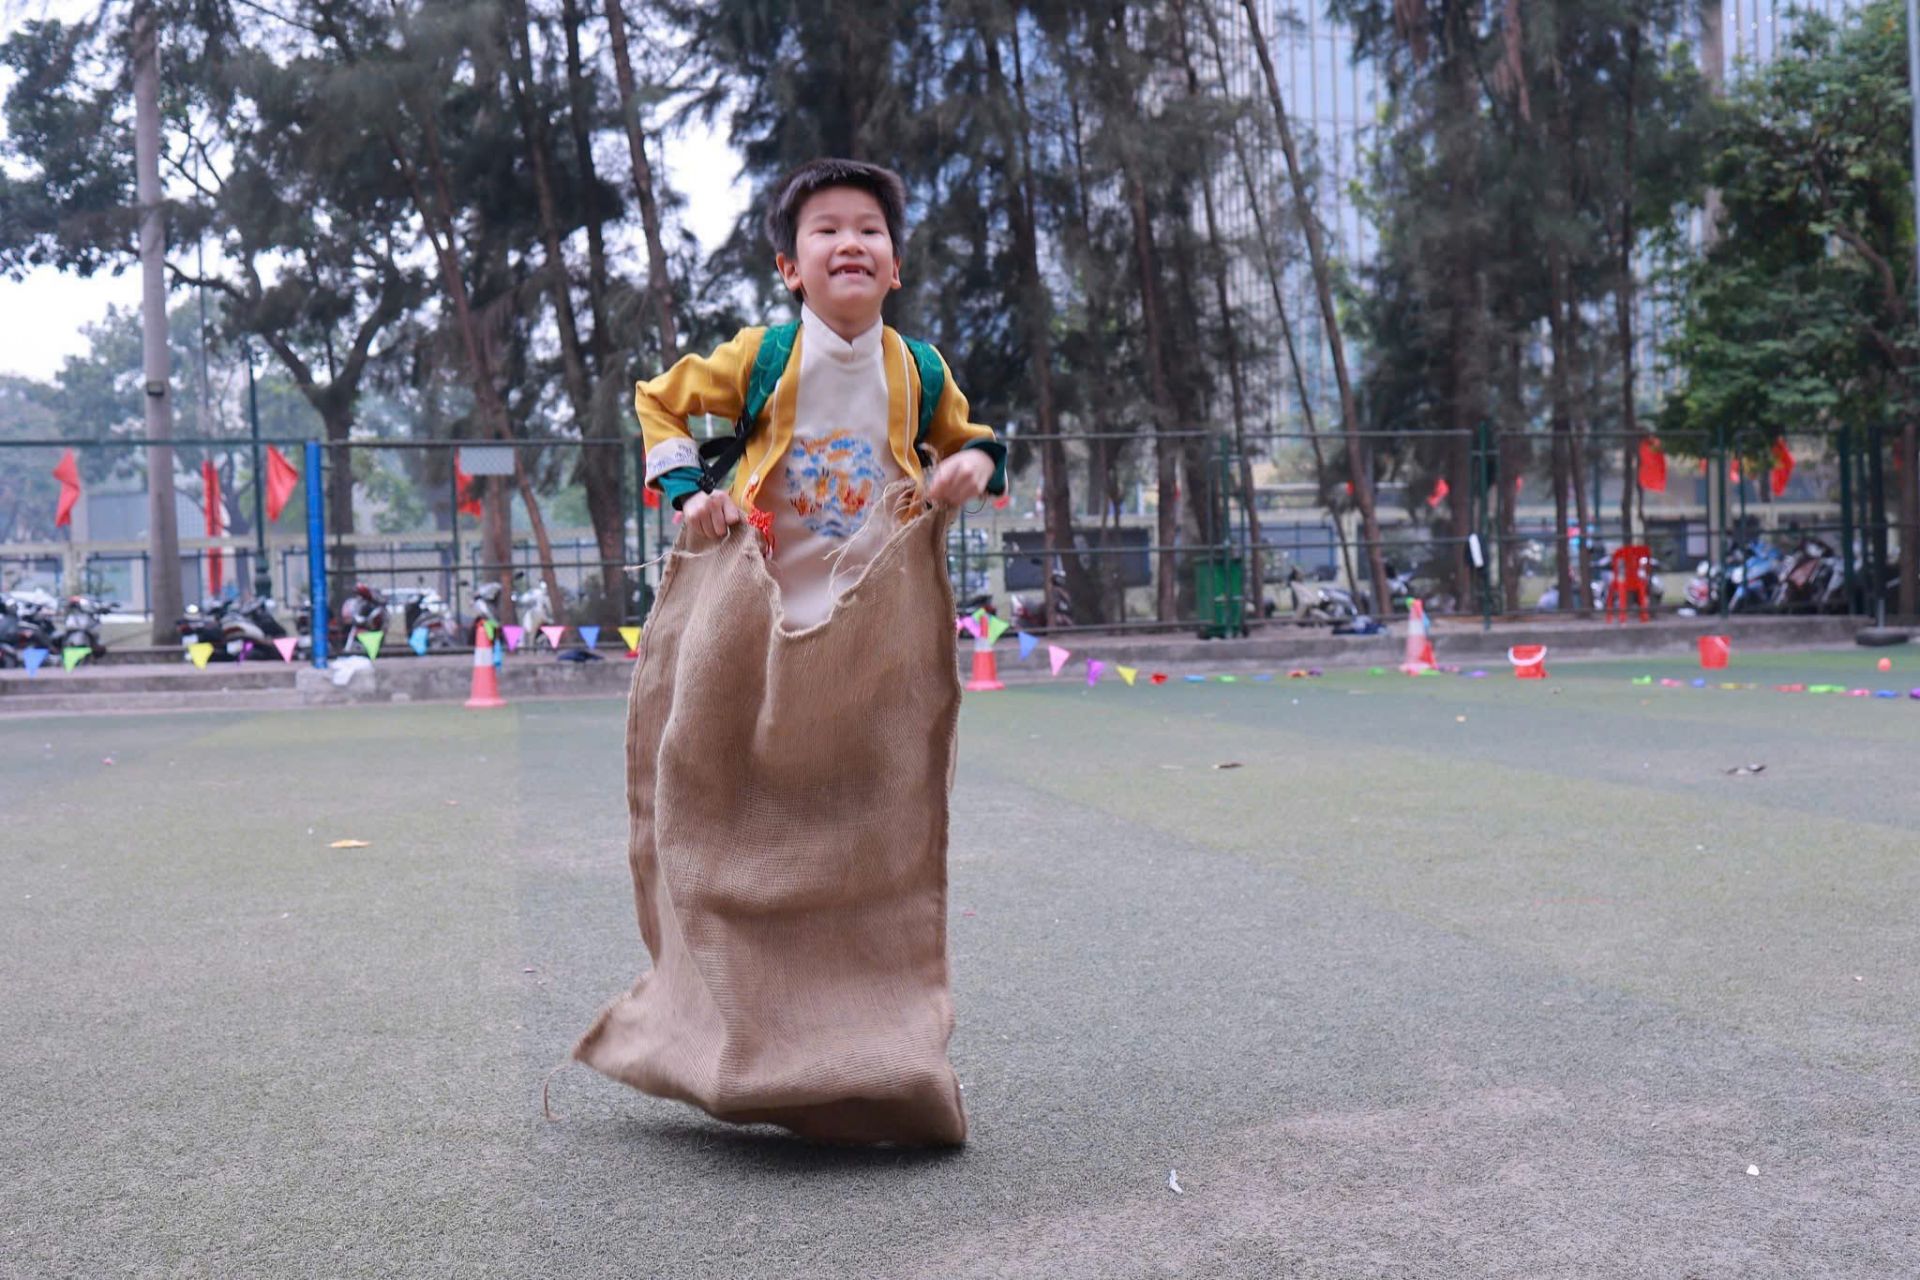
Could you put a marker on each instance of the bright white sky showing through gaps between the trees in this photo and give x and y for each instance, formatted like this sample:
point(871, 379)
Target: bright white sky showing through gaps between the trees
point(41, 316)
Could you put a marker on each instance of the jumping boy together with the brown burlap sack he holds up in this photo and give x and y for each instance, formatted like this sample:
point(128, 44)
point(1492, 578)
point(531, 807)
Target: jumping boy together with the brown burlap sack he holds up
point(790, 751)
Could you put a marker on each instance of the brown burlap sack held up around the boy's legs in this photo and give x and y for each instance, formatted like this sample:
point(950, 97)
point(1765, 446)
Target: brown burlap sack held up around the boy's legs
point(788, 797)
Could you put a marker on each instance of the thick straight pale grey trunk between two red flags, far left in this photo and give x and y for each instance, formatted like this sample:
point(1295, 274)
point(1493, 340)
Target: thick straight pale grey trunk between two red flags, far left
point(162, 527)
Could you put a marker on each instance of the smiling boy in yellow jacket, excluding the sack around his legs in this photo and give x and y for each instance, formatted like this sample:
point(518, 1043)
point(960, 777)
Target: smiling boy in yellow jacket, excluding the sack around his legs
point(842, 423)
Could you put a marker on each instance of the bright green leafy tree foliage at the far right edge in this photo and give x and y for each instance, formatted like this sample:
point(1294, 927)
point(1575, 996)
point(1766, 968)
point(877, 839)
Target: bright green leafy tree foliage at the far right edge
point(1800, 316)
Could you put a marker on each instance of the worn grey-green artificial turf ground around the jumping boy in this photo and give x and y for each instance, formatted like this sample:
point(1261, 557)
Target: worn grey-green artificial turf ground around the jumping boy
point(1449, 978)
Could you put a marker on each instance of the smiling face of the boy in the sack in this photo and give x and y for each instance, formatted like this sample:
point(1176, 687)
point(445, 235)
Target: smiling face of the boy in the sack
point(844, 258)
